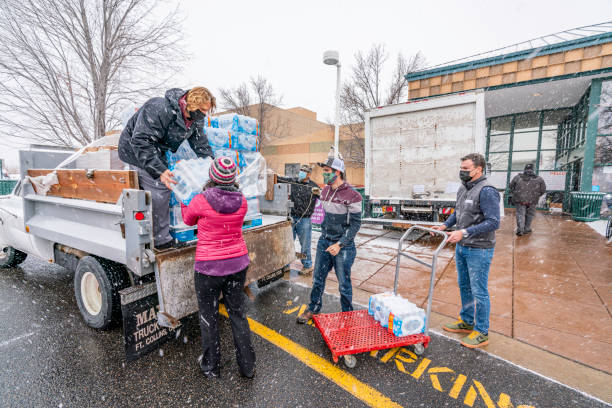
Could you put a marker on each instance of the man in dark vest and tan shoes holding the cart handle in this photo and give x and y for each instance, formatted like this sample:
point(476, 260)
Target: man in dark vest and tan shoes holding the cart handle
point(476, 218)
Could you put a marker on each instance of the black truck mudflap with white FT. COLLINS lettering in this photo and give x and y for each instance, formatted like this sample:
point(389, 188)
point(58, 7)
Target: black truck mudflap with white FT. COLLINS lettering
point(141, 330)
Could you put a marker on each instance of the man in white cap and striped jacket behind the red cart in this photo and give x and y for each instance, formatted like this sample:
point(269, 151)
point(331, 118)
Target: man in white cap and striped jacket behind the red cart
point(336, 245)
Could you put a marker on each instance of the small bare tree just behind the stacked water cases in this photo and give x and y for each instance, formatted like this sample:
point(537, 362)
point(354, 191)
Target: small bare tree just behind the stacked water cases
point(259, 100)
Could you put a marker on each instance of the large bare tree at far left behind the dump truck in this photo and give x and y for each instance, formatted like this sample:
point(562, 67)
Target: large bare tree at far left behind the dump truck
point(67, 67)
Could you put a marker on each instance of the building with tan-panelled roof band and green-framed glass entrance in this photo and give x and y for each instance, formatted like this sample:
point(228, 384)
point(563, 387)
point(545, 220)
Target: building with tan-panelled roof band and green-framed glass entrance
point(549, 104)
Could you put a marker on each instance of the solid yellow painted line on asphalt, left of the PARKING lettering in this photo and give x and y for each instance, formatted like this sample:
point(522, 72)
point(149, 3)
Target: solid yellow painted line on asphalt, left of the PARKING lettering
point(344, 380)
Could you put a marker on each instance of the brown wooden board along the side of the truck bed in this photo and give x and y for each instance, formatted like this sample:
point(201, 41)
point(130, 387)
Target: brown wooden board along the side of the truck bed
point(105, 186)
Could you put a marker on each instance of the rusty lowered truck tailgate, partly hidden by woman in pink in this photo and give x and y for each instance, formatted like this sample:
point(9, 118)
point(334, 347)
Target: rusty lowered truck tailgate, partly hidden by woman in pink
point(271, 249)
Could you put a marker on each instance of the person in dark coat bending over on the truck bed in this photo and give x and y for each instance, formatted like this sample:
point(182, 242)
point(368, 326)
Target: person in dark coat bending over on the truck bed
point(161, 125)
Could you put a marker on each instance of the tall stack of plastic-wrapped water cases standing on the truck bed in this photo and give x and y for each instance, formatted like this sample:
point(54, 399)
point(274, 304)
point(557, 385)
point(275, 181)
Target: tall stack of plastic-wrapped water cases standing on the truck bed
point(237, 136)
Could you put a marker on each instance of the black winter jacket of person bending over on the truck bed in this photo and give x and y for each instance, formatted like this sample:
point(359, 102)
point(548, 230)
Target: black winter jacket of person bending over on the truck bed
point(156, 127)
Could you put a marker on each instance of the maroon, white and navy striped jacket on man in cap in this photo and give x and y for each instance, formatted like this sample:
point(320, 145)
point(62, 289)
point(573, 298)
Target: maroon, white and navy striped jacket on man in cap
point(342, 214)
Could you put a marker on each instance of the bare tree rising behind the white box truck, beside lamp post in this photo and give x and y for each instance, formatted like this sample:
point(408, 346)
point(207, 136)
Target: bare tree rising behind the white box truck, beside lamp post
point(366, 89)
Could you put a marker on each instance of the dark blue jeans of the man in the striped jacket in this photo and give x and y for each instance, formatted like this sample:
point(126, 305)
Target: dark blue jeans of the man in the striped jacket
point(342, 264)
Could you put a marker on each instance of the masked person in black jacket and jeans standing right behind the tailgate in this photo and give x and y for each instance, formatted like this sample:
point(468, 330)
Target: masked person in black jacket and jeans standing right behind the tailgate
point(304, 194)
